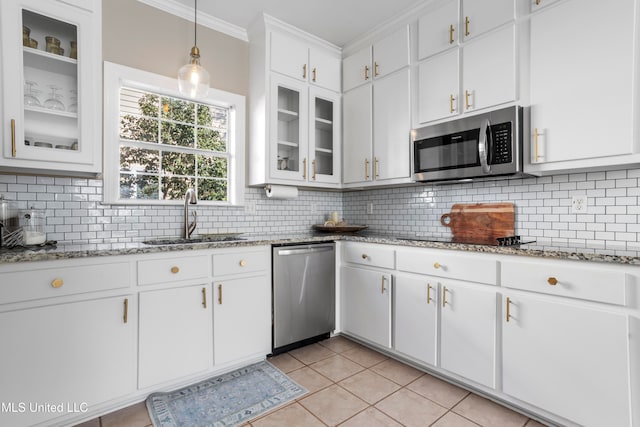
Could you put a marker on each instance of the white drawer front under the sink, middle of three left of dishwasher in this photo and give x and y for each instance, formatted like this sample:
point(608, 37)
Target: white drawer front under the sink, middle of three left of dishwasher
point(175, 269)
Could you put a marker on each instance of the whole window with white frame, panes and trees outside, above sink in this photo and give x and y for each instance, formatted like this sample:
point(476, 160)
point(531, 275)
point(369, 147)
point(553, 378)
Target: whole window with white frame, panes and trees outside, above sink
point(158, 143)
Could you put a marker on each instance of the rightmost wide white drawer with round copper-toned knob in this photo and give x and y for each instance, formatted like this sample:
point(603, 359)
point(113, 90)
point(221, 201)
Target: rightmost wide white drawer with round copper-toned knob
point(567, 279)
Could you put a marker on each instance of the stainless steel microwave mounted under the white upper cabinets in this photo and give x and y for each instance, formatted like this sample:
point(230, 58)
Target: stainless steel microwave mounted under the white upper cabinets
point(488, 144)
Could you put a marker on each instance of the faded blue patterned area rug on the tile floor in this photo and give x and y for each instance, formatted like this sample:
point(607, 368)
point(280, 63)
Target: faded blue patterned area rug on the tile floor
point(227, 400)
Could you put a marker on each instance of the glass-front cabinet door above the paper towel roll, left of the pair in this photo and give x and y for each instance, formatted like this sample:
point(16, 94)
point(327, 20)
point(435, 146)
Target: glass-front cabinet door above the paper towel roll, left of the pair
point(289, 127)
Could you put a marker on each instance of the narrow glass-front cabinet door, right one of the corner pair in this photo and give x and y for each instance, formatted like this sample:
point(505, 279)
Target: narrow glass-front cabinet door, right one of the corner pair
point(324, 134)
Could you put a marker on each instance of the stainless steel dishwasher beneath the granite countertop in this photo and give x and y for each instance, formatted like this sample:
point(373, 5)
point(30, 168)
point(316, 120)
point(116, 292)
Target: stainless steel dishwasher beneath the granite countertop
point(303, 294)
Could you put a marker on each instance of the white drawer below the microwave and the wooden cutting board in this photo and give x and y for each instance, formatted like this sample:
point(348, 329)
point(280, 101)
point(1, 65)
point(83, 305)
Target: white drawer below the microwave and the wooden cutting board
point(449, 264)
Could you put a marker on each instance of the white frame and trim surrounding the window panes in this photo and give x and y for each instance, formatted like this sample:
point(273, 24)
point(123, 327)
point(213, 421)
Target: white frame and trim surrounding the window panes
point(115, 77)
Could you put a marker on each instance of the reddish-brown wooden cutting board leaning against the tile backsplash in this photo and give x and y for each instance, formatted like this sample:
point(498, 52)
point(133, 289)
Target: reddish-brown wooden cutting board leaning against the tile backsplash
point(480, 223)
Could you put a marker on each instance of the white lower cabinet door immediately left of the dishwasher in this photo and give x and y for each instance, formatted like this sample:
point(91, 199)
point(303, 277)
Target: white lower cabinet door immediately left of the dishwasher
point(241, 318)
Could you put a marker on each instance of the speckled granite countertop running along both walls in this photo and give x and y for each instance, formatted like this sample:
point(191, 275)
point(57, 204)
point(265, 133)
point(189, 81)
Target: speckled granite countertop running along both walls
point(71, 250)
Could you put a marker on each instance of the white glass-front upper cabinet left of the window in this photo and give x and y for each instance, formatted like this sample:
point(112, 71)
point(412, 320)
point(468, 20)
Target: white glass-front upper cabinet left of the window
point(51, 86)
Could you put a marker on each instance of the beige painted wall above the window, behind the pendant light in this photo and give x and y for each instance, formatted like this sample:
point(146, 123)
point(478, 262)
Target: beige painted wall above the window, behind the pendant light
point(143, 37)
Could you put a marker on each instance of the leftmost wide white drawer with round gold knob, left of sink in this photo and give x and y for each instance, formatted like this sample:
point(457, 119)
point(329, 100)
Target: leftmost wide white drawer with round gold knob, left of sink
point(62, 280)
